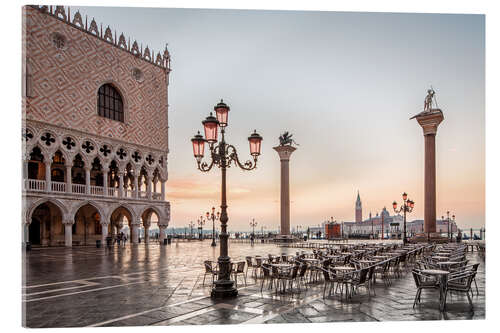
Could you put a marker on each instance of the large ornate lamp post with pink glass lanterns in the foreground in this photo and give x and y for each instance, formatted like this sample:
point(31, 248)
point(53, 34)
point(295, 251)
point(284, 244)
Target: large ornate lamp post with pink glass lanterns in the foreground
point(223, 155)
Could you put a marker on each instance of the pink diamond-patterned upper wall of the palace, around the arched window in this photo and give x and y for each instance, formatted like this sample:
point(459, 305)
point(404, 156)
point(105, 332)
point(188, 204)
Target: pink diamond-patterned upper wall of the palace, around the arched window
point(65, 82)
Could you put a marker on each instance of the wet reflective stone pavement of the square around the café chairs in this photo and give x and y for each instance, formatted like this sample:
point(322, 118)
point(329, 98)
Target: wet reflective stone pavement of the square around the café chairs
point(163, 285)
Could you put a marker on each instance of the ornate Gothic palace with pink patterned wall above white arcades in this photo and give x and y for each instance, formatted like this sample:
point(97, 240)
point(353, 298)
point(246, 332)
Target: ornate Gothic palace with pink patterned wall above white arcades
point(95, 131)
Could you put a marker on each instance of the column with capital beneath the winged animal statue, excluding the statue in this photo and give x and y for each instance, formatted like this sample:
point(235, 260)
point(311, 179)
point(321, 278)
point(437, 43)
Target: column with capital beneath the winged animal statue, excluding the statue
point(284, 153)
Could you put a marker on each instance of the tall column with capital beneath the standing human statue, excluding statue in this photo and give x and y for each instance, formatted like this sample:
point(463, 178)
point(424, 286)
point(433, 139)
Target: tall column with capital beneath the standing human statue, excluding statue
point(430, 122)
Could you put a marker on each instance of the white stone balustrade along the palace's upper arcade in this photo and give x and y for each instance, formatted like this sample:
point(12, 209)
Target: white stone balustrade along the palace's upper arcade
point(35, 185)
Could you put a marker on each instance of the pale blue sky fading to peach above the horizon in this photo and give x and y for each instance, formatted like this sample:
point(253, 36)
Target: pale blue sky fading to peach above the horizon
point(345, 84)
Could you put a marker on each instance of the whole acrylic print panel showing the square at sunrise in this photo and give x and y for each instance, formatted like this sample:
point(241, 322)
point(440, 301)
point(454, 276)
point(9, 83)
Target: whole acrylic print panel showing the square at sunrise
point(123, 226)
